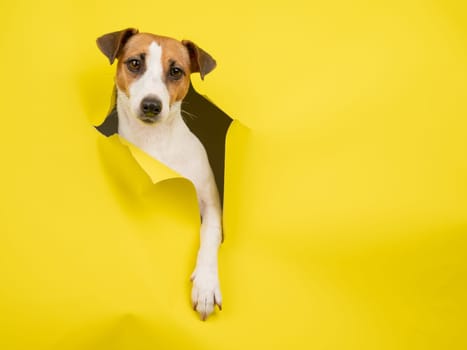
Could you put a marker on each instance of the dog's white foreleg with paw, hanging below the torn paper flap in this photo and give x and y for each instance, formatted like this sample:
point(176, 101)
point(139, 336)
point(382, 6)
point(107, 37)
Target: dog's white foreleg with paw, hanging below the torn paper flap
point(206, 290)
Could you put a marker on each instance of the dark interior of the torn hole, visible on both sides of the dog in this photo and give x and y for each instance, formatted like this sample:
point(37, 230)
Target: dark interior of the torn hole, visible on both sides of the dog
point(208, 122)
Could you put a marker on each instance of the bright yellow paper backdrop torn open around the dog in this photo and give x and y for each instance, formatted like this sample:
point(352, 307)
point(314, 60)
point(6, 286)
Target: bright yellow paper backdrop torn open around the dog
point(346, 193)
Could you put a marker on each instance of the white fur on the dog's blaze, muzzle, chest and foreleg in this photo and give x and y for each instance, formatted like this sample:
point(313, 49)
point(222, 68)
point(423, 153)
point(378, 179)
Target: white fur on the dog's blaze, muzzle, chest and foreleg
point(171, 142)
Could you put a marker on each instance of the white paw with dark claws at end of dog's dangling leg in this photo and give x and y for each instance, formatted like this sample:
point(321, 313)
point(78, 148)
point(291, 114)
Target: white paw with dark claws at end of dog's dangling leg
point(205, 294)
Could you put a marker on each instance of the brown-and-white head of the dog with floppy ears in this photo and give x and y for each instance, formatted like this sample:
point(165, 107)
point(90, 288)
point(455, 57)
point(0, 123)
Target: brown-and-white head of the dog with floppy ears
point(153, 72)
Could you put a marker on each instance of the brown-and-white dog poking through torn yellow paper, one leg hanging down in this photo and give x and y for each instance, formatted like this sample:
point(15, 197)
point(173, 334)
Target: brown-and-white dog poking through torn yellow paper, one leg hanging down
point(152, 79)
